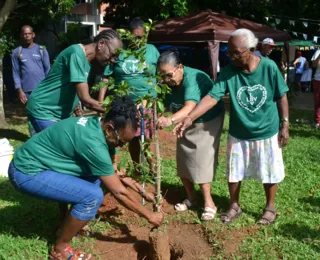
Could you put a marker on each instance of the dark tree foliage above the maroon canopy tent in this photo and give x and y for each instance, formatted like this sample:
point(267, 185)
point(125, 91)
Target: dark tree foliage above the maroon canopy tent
point(121, 12)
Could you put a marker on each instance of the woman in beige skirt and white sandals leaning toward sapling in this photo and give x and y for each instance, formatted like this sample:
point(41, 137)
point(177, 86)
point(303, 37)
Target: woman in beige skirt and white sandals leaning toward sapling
point(197, 151)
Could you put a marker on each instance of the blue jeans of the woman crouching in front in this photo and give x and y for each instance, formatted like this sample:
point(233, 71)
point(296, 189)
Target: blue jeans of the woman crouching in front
point(84, 194)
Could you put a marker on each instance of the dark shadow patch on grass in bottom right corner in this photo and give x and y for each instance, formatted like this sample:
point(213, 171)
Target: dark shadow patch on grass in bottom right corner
point(302, 233)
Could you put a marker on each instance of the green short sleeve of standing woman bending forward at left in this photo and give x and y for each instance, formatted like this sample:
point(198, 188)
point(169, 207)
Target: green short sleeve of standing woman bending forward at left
point(77, 69)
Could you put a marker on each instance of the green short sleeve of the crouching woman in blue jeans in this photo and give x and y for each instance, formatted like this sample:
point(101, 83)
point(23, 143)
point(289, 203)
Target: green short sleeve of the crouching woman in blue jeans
point(98, 158)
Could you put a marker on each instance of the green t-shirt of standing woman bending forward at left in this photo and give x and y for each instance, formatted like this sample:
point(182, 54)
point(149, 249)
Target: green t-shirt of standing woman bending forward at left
point(56, 97)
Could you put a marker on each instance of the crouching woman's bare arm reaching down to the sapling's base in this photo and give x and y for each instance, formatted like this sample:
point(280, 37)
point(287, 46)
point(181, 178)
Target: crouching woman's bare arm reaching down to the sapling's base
point(114, 185)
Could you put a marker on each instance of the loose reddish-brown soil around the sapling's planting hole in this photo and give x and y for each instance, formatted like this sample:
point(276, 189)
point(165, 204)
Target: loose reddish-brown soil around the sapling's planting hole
point(135, 241)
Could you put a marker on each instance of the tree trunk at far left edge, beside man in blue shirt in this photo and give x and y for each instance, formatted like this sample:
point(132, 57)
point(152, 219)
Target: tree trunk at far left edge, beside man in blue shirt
point(6, 10)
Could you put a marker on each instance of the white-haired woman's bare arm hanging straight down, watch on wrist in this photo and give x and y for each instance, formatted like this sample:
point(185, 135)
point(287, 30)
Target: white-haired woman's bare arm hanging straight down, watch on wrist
point(283, 108)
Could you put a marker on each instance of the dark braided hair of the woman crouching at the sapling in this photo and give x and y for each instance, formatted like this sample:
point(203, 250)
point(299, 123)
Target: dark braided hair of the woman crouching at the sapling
point(122, 112)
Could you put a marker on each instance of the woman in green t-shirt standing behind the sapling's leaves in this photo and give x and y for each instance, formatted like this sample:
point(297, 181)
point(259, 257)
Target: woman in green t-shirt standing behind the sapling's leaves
point(128, 69)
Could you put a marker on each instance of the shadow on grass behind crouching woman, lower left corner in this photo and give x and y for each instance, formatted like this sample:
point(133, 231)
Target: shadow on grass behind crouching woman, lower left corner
point(24, 216)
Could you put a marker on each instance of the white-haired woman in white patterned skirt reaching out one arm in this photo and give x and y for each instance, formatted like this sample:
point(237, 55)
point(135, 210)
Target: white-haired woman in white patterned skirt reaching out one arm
point(259, 124)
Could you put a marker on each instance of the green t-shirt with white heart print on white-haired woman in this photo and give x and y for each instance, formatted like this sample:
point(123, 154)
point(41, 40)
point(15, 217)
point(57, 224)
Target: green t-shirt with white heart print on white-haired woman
point(253, 96)
